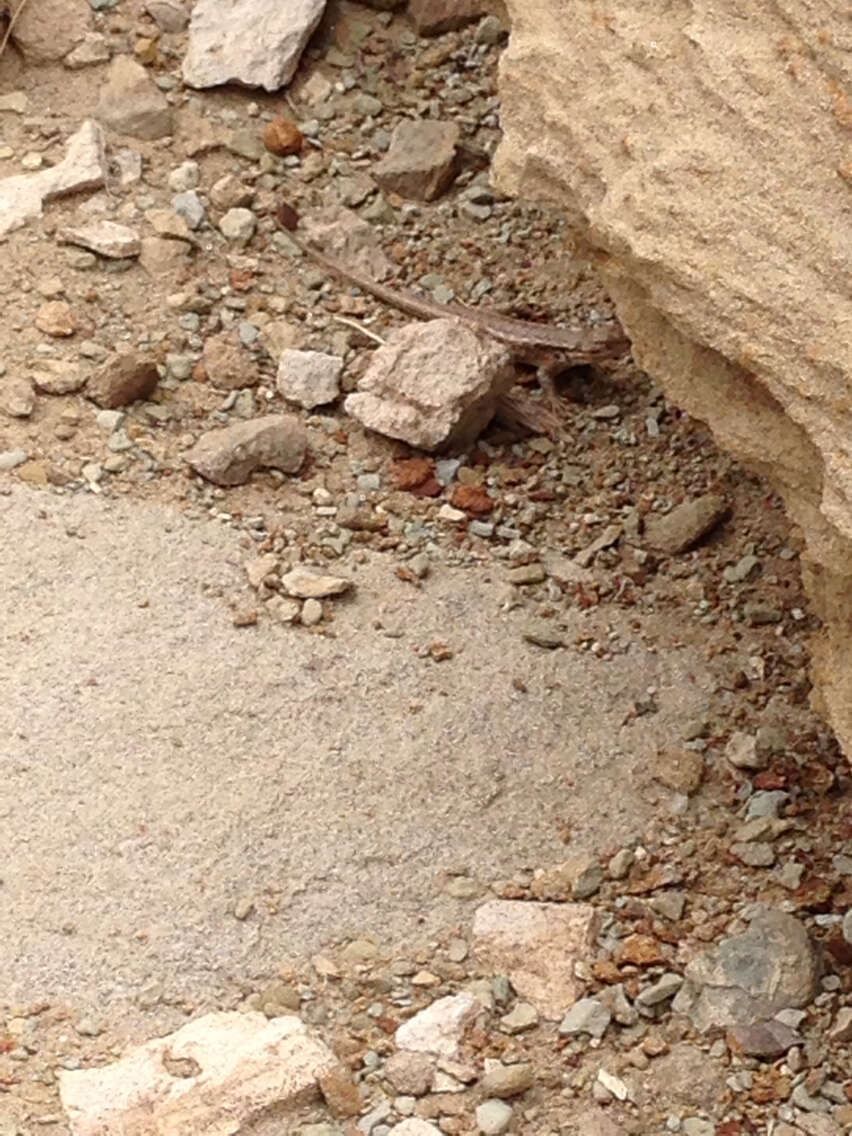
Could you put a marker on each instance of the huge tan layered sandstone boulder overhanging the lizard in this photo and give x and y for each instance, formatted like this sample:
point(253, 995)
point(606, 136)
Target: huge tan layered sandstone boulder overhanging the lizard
point(704, 154)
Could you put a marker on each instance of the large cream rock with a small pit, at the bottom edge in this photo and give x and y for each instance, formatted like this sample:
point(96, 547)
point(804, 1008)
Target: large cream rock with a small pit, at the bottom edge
point(229, 1071)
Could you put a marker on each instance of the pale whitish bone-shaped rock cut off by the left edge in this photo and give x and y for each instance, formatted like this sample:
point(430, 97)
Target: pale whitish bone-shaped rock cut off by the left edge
point(82, 169)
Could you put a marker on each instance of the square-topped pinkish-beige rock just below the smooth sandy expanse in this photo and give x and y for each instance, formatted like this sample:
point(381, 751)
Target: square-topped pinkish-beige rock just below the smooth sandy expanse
point(537, 946)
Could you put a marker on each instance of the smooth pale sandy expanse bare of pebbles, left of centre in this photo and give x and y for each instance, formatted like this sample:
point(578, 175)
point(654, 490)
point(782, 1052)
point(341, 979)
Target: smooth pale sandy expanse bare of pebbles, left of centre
point(161, 765)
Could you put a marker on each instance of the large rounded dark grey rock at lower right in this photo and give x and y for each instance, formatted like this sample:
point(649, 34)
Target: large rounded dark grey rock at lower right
point(750, 978)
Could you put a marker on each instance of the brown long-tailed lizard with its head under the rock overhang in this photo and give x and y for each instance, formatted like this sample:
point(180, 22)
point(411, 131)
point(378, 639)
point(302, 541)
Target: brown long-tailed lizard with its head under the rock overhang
point(549, 349)
